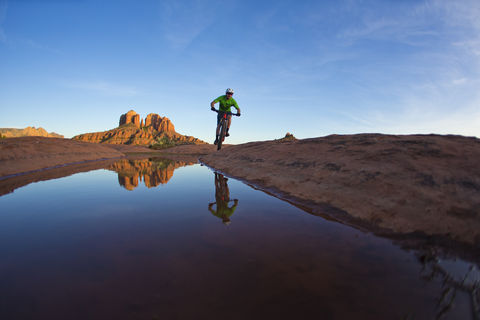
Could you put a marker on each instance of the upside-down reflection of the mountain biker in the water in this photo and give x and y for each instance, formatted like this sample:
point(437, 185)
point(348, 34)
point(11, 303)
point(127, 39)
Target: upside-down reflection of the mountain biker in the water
point(222, 195)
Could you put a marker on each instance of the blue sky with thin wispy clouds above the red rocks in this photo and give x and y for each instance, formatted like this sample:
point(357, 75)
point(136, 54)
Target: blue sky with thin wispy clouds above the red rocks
point(311, 68)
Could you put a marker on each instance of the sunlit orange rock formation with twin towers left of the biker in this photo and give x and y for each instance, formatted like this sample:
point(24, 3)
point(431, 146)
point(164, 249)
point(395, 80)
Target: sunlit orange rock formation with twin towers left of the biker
point(135, 131)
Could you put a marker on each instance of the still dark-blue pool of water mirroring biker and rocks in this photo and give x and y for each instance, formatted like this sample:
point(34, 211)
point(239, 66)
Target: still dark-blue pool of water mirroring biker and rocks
point(157, 239)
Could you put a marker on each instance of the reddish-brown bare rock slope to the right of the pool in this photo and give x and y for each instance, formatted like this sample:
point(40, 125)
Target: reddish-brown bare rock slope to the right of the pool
point(426, 183)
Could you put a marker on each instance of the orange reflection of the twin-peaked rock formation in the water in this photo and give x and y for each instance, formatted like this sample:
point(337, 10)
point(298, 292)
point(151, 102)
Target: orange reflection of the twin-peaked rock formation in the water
point(152, 172)
